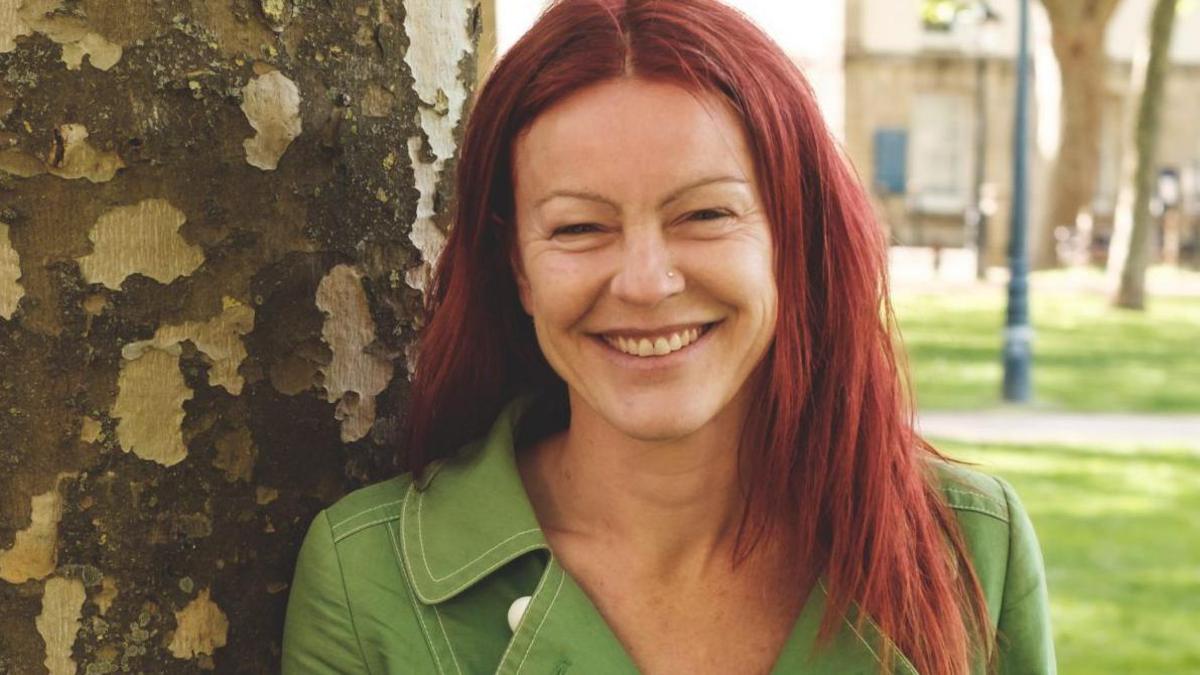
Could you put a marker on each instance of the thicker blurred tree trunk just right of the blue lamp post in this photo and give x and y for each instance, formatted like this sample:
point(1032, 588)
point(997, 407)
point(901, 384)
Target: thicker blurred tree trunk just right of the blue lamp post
point(1078, 32)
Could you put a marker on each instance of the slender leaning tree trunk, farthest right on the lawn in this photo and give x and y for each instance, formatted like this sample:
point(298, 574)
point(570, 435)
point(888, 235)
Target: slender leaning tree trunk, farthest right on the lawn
point(1131, 242)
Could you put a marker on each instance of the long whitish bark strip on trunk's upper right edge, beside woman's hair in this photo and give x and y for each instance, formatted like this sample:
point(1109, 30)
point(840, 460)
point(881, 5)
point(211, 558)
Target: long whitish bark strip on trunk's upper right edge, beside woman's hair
point(439, 40)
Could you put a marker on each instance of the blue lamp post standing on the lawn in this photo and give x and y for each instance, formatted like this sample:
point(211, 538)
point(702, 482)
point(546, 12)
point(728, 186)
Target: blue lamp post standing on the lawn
point(1018, 332)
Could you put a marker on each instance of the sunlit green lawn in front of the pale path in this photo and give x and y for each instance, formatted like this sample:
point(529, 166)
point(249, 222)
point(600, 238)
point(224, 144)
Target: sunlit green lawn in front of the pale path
point(1121, 537)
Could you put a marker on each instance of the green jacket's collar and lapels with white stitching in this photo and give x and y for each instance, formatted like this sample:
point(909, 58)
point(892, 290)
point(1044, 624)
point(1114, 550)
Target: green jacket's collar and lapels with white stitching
point(472, 516)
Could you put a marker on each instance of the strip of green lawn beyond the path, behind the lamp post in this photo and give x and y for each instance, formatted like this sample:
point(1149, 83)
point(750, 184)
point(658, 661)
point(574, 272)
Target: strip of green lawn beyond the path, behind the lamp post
point(1088, 356)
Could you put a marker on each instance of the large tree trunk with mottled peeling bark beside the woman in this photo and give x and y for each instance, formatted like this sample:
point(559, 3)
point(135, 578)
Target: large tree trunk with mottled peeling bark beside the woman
point(217, 220)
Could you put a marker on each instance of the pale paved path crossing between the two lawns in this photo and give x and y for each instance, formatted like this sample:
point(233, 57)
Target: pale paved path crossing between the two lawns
point(1078, 429)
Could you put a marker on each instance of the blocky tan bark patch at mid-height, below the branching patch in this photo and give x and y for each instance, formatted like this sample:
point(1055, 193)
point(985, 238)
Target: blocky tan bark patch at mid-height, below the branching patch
point(151, 408)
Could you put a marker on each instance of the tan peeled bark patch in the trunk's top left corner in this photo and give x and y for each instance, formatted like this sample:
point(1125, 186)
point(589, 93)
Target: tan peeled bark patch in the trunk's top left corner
point(71, 33)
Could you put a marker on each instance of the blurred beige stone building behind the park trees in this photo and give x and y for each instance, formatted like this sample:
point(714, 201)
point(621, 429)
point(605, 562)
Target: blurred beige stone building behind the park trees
point(914, 91)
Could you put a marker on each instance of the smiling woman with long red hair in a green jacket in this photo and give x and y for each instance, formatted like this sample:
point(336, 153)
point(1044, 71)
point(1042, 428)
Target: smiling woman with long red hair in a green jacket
point(657, 422)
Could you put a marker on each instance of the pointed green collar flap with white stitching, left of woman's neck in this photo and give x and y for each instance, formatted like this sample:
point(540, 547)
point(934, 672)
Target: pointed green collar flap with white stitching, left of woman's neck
point(471, 515)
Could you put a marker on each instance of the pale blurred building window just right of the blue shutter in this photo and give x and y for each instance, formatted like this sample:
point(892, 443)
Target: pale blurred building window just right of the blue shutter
point(940, 162)
